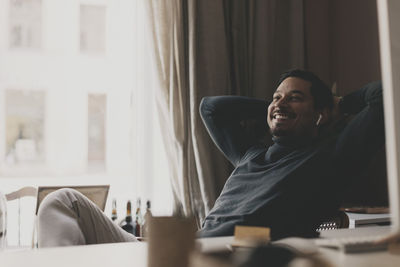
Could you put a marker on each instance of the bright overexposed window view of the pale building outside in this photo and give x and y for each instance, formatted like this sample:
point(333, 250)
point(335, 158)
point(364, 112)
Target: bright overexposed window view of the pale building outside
point(76, 105)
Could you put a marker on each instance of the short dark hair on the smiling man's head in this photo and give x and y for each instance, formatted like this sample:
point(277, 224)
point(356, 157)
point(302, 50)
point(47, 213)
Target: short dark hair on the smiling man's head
point(323, 97)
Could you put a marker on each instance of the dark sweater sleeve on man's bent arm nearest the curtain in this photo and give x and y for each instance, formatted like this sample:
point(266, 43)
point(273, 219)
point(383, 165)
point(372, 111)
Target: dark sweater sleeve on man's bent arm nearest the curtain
point(227, 118)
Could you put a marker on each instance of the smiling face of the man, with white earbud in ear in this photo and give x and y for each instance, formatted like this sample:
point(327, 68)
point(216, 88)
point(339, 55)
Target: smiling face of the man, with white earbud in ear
point(292, 112)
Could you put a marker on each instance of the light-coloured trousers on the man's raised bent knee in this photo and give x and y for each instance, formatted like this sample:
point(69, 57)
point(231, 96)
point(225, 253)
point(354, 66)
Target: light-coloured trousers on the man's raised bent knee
point(68, 218)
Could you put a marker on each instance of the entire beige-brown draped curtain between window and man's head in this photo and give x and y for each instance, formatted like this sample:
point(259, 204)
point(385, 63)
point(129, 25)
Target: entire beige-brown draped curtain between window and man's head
point(215, 47)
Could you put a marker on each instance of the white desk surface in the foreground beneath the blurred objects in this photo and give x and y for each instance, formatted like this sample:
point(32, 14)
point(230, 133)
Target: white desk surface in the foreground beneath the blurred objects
point(135, 254)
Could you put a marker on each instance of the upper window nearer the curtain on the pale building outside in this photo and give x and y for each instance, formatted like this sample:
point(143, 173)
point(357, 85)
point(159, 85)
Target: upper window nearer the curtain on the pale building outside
point(92, 28)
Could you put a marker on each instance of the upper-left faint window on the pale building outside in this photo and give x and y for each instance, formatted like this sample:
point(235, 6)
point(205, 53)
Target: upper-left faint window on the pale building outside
point(25, 23)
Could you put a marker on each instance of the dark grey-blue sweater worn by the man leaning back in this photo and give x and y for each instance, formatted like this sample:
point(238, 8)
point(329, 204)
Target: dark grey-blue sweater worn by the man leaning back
point(293, 185)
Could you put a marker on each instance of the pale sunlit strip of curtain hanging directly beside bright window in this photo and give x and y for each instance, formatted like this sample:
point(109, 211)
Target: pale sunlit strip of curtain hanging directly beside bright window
point(172, 96)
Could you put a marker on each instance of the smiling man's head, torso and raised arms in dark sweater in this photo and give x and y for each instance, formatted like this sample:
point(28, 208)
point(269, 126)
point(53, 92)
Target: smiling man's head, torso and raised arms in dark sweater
point(296, 183)
